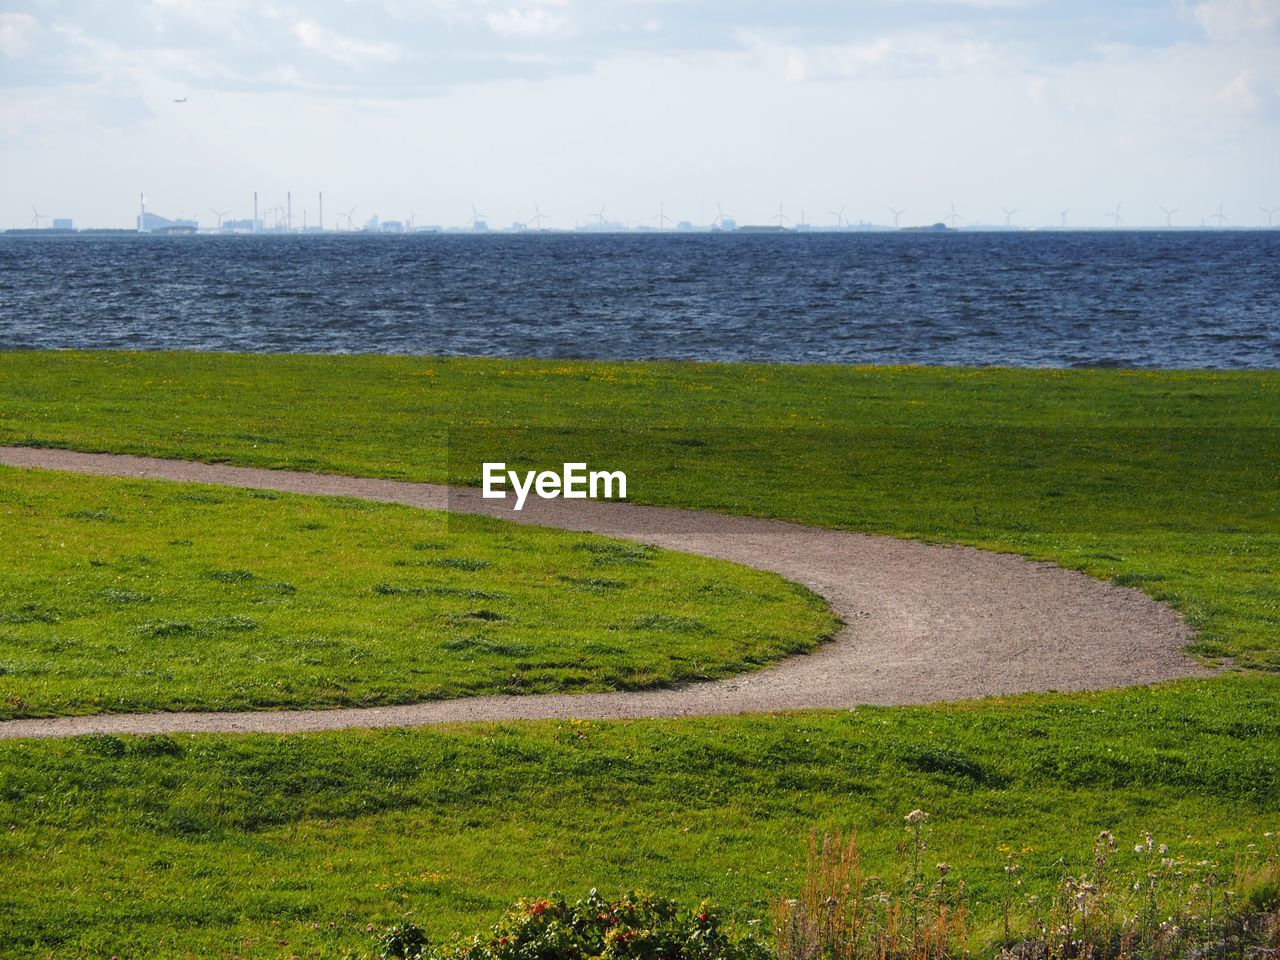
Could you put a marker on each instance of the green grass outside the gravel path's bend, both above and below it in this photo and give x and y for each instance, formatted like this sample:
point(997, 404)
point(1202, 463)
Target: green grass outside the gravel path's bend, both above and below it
point(267, 847)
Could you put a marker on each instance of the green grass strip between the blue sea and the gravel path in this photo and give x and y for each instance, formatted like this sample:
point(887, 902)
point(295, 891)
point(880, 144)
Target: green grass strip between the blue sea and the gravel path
point(1167, 481)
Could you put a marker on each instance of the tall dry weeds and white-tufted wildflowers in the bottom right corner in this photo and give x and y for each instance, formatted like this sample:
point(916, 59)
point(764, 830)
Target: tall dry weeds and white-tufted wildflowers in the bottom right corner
point(1148, 906)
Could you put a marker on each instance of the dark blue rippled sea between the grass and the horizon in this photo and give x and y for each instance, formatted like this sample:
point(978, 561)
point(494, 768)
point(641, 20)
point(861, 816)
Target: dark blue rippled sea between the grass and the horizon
point(1160, 300)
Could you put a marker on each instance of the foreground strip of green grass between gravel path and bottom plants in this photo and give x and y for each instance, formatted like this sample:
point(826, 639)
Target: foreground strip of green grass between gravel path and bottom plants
point(282, 847)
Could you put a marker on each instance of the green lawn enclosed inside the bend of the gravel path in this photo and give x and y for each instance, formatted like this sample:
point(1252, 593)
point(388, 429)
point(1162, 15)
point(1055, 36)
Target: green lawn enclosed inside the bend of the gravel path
point(132, 596)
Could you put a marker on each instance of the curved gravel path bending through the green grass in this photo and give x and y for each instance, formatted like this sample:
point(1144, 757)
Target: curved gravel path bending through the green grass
point(924, 623)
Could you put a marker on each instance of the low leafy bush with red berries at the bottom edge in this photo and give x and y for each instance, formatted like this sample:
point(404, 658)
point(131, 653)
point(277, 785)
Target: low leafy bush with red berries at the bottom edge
point(634, 927)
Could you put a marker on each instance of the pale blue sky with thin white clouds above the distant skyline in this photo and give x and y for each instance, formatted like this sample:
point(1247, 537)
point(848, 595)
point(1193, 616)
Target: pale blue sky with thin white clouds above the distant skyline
point(426, 108)
